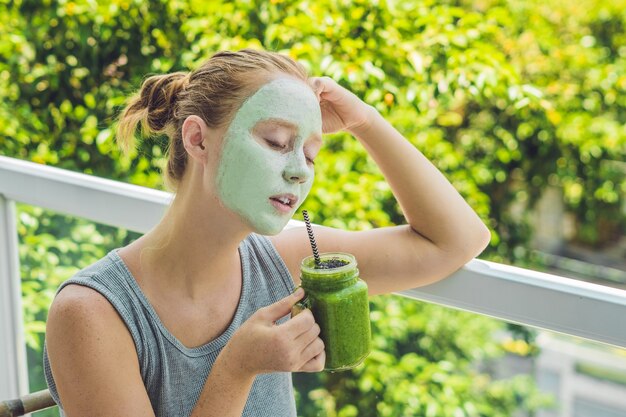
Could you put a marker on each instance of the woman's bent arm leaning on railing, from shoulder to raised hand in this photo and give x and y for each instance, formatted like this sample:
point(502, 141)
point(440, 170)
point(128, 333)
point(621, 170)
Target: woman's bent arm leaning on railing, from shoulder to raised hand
point(443, 232)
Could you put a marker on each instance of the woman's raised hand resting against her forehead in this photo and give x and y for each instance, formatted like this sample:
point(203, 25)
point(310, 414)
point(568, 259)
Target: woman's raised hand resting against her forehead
point(341, 109)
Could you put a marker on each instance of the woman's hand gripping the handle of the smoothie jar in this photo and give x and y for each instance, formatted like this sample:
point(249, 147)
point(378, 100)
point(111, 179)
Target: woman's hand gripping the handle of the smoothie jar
point(262, 346)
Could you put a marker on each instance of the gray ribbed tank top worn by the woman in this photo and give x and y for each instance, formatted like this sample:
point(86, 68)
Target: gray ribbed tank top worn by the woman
point(173, 374)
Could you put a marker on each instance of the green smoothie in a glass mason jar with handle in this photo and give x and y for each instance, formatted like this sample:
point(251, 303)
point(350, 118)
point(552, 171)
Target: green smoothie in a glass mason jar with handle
point(339, 302)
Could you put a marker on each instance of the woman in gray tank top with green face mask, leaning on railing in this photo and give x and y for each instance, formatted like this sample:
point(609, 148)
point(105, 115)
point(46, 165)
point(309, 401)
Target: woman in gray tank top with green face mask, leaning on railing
point(191, 318)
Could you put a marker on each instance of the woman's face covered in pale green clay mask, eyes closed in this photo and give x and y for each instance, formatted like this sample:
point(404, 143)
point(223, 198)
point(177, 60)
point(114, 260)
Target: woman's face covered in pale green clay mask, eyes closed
point(267, 153)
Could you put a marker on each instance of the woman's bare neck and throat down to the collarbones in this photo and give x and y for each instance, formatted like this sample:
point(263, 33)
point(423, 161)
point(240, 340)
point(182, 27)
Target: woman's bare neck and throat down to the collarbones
point(194, 249)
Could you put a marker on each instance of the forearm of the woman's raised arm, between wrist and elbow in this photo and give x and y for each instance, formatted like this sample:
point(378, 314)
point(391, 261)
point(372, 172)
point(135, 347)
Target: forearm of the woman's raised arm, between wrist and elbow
point(431, 205)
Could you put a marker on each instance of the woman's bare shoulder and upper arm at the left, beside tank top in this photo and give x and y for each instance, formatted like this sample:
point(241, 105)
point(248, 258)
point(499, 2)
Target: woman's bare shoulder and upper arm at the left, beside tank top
point(87, 340)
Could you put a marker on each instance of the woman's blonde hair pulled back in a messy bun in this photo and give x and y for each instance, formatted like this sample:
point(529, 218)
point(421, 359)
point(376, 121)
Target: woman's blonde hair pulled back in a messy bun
point(213, 92)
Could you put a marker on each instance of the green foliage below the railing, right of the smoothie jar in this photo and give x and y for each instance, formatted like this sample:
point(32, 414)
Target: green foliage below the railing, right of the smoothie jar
point(424, 363)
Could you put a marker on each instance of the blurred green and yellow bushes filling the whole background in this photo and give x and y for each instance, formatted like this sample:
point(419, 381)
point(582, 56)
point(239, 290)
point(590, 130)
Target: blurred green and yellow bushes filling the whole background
point(507, 97)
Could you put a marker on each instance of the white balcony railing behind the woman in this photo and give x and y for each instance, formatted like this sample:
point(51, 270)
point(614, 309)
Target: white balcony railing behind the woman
point(505, 292)
